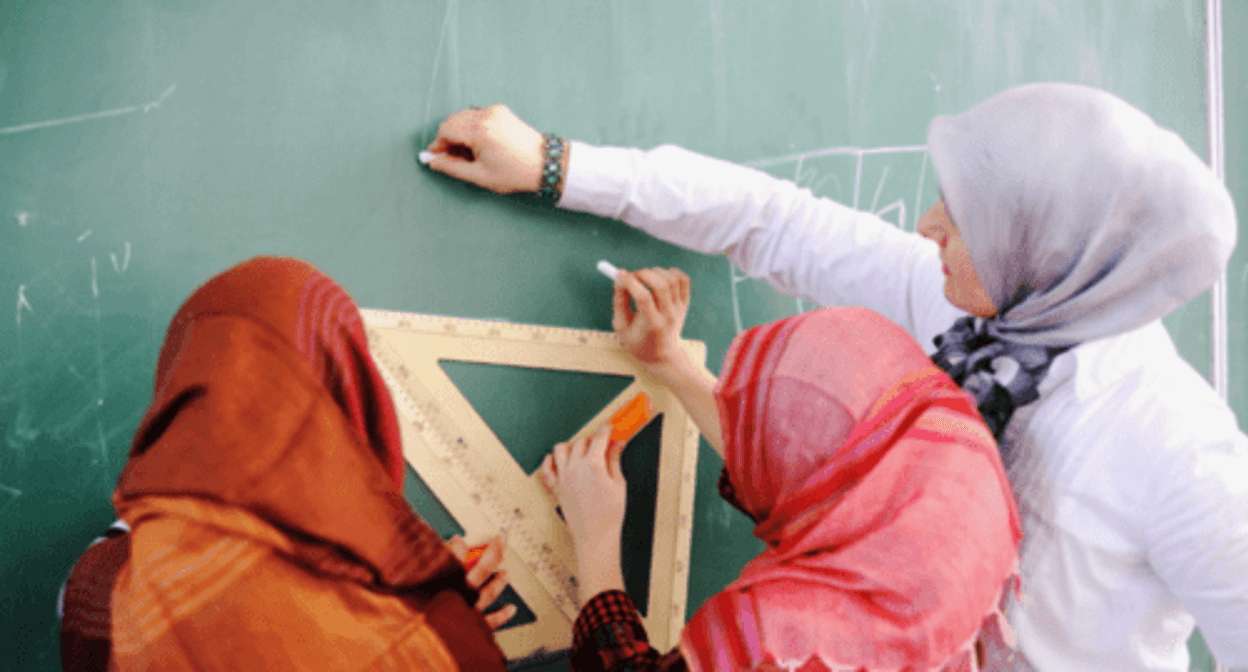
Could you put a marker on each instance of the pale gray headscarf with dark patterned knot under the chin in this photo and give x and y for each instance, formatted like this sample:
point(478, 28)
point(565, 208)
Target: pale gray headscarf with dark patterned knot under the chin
point(1083, 219)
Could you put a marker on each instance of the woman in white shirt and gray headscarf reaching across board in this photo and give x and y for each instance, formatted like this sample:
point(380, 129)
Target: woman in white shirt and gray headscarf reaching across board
point(1070, 225)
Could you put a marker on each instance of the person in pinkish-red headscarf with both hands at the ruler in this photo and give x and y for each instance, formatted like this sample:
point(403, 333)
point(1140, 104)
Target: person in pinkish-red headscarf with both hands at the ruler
point(878, 489)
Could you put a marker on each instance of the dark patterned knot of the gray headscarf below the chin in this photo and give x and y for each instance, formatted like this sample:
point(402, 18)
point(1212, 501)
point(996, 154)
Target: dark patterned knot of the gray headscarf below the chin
point(1000, 375)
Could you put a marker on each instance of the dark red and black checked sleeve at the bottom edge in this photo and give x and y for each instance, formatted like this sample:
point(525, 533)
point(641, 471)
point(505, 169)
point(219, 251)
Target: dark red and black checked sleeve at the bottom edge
point(610, 636)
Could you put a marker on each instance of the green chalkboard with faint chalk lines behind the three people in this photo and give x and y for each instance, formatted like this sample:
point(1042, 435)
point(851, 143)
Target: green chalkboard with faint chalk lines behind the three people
point(148, 146)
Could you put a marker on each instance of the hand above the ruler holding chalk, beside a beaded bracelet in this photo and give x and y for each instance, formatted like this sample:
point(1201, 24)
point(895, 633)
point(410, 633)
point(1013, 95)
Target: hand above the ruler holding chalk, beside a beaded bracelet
point(490, 148)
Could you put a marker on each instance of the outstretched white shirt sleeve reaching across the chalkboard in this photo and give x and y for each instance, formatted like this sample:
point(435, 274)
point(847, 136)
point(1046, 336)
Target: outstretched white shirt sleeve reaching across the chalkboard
point(811, 248)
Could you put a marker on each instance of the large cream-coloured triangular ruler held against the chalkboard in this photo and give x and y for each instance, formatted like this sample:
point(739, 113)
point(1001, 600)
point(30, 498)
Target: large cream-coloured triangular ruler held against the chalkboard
point(479, 482)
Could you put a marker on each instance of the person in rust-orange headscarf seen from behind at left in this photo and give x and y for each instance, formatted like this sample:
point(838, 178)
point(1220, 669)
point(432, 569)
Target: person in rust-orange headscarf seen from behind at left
point(268, 528)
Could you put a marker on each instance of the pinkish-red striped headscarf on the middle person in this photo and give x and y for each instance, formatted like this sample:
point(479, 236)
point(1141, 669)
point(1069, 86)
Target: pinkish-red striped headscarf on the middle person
point(889, 524)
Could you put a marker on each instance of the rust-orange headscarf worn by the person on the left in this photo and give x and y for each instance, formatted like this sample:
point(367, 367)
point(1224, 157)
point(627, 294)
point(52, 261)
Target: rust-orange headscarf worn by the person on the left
point(270, 422)
